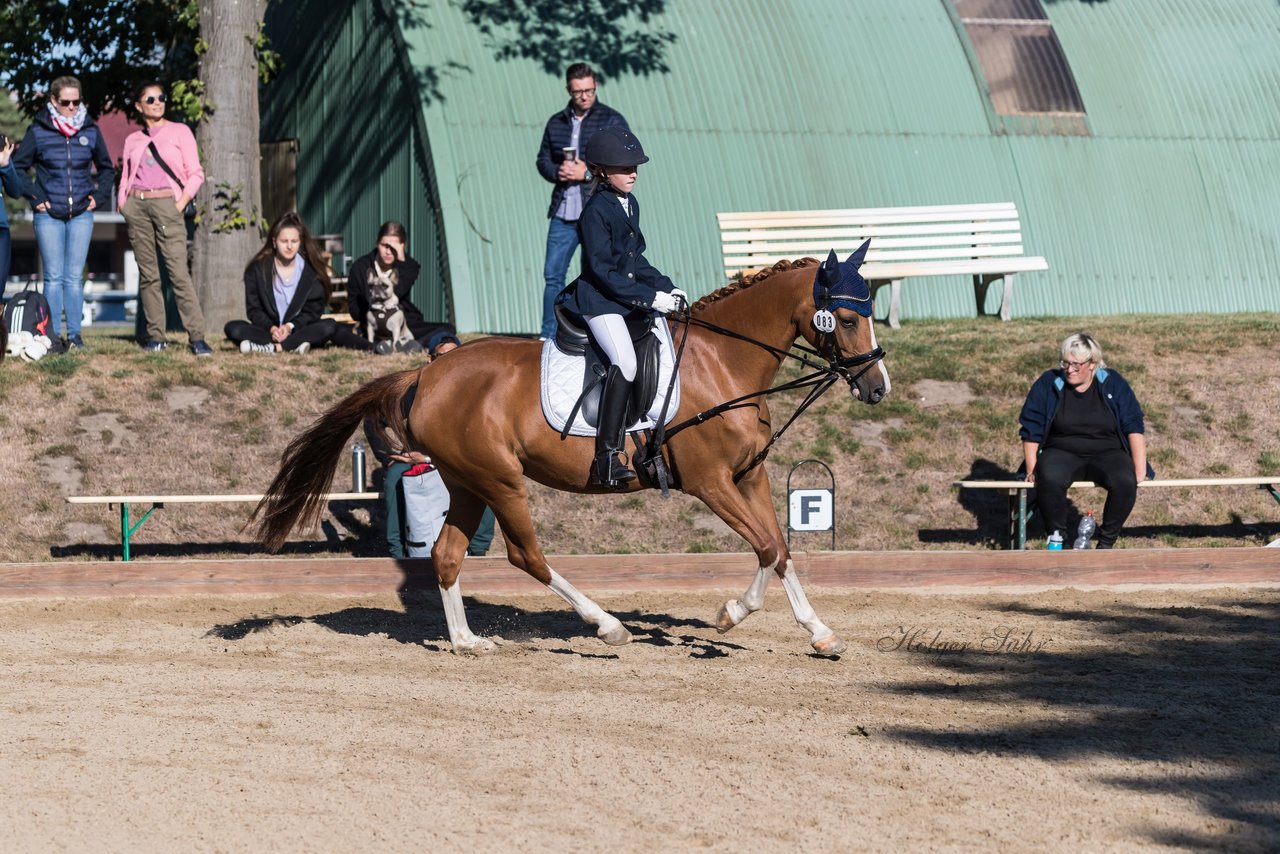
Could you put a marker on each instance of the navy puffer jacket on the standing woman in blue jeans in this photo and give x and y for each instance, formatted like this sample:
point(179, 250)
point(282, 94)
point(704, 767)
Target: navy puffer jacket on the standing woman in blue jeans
point(65, 166)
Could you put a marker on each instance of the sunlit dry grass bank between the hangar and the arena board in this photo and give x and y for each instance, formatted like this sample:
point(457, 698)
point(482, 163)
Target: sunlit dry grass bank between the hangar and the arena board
point(1209, 387)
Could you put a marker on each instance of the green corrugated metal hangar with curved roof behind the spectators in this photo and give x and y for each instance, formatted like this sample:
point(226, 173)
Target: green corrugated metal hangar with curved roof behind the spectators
point(1140, 139)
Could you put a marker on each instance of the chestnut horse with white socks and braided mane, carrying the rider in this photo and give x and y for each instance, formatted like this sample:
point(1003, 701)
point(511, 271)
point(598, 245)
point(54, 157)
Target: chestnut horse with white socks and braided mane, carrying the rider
point(479, 418)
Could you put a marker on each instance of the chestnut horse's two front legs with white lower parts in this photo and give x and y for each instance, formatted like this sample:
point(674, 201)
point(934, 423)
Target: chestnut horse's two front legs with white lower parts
point(748, 509)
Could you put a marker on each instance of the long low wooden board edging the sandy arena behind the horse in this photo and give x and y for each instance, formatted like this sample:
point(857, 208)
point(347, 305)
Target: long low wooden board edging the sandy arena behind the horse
point(620, 573)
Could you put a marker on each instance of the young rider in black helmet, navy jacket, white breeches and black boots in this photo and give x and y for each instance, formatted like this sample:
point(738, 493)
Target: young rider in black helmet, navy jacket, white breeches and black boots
point(618, 286)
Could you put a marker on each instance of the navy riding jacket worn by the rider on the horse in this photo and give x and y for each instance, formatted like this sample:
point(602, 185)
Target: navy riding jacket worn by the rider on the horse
point(616, 277)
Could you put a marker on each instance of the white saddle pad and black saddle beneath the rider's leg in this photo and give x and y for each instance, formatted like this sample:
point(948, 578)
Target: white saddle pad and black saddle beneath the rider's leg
point(574, 368)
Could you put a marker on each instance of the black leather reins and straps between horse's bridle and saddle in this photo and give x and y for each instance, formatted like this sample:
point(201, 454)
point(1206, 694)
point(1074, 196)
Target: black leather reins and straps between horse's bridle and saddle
point(821, 380)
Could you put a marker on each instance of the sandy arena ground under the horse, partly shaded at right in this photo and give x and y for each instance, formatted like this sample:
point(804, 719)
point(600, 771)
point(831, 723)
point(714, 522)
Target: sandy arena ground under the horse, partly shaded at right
point(1067, 720)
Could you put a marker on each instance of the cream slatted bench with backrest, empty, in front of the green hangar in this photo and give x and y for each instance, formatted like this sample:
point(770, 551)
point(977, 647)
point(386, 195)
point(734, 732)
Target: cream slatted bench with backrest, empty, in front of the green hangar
point(981, 241)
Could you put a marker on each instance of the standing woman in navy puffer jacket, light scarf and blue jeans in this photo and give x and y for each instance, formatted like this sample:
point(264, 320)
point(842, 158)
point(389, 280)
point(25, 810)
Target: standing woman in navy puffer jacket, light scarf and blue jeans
point(65, 147)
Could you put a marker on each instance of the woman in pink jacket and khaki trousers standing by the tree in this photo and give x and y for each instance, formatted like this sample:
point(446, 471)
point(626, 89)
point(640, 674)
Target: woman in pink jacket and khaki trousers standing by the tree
point(159, 176)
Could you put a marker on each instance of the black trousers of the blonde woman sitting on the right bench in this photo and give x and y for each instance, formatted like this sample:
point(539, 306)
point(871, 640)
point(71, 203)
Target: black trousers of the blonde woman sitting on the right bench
point(1113, 471)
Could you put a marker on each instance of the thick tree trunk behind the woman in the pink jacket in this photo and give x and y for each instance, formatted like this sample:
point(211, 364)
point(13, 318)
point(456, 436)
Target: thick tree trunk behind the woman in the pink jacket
point(231, 199)
